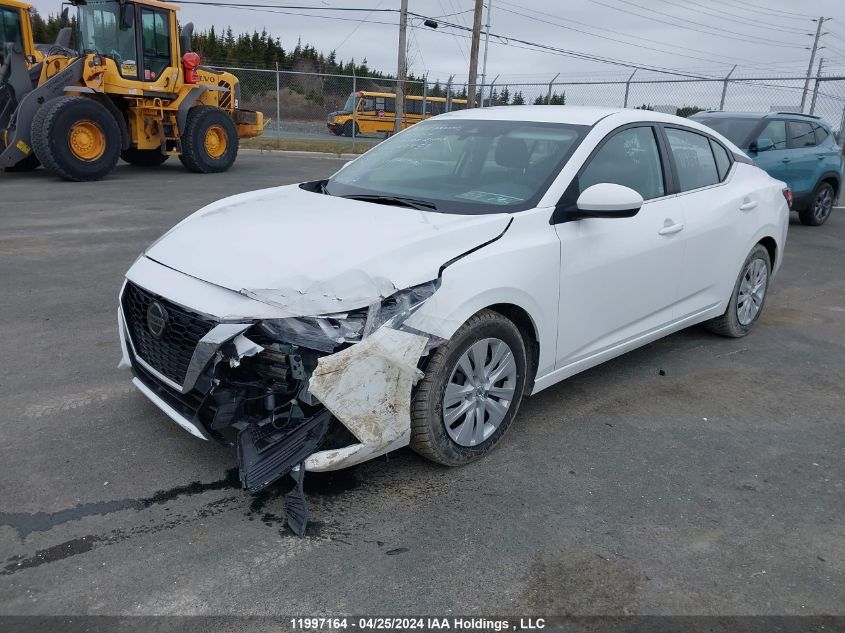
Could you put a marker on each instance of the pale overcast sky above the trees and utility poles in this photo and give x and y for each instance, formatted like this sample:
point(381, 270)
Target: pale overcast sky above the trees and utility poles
point(762, 36)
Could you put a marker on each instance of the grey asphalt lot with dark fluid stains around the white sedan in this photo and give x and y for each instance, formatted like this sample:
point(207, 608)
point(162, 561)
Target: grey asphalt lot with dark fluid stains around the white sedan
point(696, 475)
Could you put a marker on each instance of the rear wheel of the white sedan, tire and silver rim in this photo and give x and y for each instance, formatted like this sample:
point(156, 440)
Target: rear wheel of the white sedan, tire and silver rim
point(748, 296)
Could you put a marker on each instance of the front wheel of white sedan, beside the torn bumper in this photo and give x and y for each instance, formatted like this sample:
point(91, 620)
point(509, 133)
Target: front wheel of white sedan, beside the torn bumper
point(439, 430)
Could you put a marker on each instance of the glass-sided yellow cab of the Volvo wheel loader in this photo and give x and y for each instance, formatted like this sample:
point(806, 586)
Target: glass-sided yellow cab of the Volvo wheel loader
point(140, 37)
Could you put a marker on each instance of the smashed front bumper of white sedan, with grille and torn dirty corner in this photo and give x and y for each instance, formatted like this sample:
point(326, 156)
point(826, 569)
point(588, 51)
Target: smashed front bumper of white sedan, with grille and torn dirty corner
point(290, 393)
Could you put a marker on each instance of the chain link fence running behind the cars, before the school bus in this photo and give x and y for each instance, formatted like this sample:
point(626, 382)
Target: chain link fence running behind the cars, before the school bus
point(296, 104)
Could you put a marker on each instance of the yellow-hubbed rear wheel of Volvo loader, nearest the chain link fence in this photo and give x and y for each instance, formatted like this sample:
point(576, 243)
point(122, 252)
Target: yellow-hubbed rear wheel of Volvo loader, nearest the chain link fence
point(210, 141)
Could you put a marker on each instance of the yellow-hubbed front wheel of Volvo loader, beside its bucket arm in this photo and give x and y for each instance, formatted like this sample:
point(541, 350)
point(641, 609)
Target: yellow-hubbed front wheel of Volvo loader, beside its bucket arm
point(76, 138)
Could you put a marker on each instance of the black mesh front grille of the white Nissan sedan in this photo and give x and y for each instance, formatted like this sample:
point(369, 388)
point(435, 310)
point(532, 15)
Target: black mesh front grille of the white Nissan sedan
point(171, 354)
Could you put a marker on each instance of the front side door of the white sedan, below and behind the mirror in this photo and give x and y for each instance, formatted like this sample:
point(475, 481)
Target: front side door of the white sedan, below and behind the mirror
point(619, 277)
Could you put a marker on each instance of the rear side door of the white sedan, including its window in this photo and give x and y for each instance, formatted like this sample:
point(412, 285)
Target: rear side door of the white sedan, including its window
point(719, 216)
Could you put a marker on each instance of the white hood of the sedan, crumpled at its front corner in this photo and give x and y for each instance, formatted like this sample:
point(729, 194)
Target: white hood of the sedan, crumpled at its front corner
point(316, 254)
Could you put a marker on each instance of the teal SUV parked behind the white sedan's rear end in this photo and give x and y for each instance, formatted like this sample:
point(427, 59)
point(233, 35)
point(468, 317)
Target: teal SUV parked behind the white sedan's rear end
point(797, 148)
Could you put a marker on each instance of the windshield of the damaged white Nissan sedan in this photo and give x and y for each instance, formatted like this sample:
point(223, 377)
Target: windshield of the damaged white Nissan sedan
point(463, 166)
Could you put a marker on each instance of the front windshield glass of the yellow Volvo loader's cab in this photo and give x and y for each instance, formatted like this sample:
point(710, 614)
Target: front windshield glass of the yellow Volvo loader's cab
point(99, 32)
